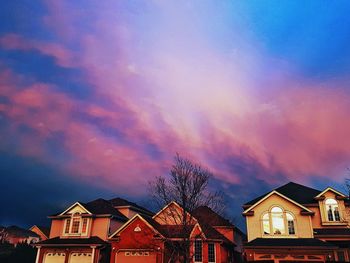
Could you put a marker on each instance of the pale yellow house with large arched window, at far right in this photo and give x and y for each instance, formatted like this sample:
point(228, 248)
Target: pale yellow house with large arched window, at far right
point(298, 223)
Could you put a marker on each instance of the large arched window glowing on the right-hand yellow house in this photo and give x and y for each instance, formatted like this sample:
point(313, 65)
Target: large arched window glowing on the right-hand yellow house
point(278, 222)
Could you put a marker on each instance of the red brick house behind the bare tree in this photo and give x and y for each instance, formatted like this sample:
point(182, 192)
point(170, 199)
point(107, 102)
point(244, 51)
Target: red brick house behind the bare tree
point(155, 239)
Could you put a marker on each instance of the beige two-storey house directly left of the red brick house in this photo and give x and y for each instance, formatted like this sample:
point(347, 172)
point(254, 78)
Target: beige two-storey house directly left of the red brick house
point(80, 233)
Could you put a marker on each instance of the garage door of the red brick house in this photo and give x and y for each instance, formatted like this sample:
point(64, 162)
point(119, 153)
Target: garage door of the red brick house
point(136, 257)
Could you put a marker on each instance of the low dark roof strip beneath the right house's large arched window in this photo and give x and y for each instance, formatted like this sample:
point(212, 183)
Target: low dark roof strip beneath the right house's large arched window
point(288, 242)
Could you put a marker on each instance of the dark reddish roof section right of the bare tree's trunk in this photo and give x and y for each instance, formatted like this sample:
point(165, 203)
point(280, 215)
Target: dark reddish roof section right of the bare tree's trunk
point(207, 216)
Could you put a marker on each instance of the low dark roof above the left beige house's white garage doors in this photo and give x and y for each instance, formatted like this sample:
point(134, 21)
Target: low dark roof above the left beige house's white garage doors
point(73, 241)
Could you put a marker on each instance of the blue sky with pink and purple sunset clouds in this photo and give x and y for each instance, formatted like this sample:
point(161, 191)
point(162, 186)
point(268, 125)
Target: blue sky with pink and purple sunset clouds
point(96, 98)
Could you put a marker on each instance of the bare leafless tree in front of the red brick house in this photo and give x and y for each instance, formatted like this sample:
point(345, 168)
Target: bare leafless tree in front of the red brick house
point(187, 185)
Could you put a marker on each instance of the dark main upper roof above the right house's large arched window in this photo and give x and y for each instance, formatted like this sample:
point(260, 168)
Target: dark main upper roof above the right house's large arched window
point(297, 192)
